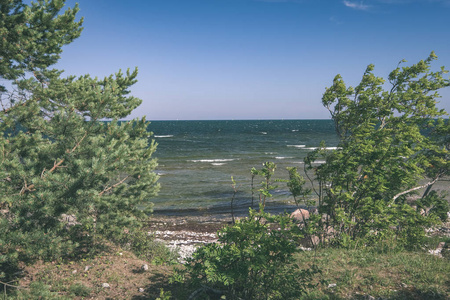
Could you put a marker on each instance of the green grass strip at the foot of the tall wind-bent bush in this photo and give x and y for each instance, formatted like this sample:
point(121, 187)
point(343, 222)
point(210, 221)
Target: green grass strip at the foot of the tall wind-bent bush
point(362, 272)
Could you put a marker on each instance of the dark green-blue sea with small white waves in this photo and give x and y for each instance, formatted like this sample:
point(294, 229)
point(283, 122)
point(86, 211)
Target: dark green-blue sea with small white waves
point(198, 159)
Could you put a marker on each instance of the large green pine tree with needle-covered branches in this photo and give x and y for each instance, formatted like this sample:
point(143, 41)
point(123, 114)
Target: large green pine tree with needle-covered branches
point(66, 174)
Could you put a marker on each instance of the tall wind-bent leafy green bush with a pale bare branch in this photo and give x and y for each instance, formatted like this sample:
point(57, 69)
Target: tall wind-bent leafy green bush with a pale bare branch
point(393, 143)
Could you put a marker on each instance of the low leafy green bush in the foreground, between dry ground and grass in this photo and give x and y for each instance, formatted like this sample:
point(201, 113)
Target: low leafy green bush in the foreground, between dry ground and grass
point(253, 260)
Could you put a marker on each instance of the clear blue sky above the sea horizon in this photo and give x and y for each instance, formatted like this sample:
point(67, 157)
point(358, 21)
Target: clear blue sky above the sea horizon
point(252, 59)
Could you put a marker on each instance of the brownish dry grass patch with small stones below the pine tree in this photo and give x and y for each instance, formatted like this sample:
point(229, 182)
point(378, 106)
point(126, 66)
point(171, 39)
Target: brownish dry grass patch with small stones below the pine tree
point(83, 279)
